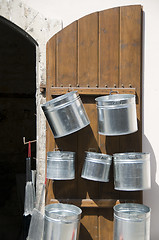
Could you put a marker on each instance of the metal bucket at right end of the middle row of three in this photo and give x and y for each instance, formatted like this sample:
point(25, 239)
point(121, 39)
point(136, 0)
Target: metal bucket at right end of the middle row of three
point(132, 171)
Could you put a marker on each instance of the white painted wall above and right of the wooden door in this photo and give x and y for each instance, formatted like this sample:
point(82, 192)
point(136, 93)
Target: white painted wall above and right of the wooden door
point(71, 10)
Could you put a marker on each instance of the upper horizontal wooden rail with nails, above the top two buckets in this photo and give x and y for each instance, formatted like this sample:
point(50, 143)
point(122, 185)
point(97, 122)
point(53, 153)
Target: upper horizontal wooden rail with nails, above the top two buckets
point(91, 91)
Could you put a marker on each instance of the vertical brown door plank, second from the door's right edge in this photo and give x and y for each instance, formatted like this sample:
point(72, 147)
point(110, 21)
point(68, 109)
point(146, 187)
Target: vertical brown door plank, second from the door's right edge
point(108, 77)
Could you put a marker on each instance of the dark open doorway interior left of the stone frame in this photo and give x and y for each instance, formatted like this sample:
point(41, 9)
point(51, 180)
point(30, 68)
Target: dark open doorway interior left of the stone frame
point(17, 119)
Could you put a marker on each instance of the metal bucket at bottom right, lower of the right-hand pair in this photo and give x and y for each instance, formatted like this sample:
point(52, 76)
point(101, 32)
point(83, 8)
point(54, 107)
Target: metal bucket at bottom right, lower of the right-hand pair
point(131, 222)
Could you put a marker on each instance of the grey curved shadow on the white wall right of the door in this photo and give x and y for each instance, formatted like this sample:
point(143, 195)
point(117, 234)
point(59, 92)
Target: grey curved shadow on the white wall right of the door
point(151, 196)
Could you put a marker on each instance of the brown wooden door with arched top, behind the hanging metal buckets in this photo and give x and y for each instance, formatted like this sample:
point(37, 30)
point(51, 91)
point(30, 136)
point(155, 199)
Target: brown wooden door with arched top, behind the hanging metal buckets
point(94, 55)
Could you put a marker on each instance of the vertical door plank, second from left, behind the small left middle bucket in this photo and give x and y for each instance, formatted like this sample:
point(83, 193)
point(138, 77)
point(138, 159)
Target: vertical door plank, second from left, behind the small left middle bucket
point(66, 69)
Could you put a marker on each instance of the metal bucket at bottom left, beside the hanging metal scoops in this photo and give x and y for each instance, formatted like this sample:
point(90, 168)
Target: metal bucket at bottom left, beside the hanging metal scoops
point(62, 222)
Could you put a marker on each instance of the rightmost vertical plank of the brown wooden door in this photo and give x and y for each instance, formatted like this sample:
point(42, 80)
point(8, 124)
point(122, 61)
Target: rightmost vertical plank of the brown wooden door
point(130, 73)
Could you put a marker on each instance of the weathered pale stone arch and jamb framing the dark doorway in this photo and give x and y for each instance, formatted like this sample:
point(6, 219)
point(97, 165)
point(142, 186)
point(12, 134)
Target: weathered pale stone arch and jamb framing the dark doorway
point(40, 29)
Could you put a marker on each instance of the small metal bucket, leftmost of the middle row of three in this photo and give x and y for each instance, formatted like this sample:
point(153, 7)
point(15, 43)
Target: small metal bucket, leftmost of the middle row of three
point(61, 165)
